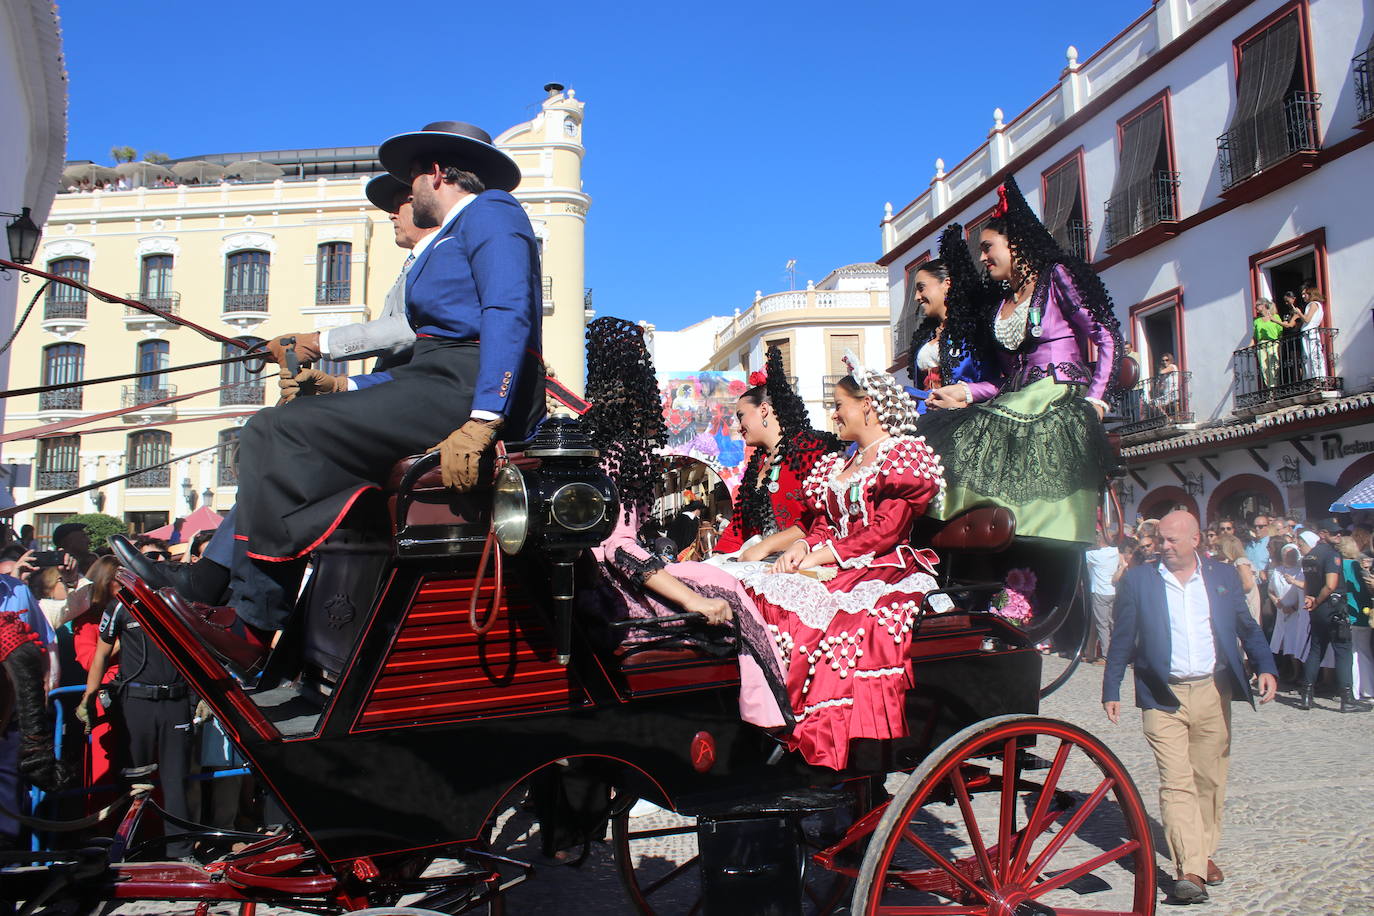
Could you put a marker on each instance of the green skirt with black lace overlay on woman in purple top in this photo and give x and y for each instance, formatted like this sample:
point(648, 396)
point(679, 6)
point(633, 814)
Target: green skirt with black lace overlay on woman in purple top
point(1041, 453)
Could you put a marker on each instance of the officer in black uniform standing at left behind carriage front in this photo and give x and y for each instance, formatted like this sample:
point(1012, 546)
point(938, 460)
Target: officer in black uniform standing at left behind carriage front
point(156, 709)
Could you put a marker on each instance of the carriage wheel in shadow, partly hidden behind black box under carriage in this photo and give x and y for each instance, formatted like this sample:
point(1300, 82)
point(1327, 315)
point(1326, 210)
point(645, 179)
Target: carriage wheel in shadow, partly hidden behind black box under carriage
point(657, 860)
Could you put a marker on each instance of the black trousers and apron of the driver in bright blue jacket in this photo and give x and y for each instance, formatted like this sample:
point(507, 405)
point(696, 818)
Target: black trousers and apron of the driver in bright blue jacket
point(302, 465)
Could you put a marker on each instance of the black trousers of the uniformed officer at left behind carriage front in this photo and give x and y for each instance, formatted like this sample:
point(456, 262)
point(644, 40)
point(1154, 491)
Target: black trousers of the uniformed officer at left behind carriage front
point(160, 733)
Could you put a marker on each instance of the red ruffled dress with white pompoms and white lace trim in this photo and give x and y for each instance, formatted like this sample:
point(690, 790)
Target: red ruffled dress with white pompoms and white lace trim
point(844, 642)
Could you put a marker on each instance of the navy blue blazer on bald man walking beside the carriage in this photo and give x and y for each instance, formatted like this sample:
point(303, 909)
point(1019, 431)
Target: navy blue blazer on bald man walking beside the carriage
point(1141, 634)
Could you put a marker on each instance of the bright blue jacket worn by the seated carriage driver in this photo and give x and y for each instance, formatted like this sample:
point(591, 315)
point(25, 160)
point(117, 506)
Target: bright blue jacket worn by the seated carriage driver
point(480, 281)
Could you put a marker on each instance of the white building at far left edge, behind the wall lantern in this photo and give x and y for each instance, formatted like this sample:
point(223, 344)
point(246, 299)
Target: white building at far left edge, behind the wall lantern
point(34, 111)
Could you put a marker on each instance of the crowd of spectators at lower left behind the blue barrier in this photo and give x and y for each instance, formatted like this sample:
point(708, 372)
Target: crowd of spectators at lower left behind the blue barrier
point(131, 708)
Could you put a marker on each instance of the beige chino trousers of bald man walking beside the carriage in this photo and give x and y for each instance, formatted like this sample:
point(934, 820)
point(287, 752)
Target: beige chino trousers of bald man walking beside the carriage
point(1193, 751)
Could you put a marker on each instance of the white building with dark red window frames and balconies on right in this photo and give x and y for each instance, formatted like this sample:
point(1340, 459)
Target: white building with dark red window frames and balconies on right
point(1214, 153)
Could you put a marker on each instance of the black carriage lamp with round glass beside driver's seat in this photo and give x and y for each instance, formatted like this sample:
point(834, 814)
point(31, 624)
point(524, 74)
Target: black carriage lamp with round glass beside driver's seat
point(561, 507)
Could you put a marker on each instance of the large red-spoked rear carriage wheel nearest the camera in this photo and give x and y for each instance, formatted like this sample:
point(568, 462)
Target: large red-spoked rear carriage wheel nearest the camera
point(1061, 833)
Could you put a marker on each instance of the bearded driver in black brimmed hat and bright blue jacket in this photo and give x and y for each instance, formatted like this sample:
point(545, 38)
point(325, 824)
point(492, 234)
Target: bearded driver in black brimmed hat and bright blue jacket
point(473, 300)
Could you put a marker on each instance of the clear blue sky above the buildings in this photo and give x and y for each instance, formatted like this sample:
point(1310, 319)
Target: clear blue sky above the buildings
point(723, 139)
